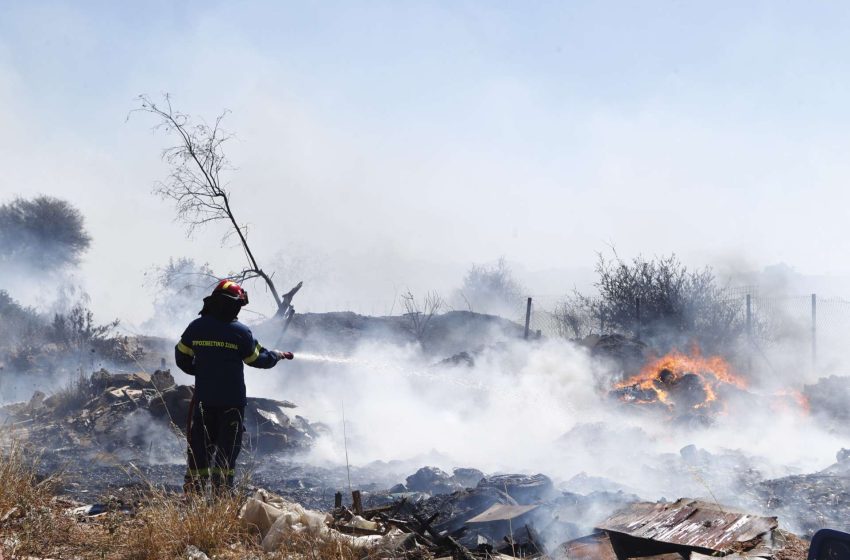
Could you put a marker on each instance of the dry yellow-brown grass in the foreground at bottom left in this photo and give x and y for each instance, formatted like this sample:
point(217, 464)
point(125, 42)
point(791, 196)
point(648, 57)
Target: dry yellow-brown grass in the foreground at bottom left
point(33, 523)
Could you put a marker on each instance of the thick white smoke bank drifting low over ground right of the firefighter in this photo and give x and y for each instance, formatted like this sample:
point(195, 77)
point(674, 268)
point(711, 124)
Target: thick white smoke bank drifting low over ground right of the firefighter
point(536, 407)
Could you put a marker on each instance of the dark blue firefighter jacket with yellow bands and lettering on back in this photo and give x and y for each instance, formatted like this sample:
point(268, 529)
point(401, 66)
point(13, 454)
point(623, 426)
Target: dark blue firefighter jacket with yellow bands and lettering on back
point(213, 351)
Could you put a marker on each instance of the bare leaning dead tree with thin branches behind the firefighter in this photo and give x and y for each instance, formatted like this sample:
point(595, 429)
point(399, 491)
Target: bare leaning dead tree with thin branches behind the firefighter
point(195, 186)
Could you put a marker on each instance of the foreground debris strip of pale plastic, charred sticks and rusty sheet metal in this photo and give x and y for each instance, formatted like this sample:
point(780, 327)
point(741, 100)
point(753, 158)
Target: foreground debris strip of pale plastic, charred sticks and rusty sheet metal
point(487, 523)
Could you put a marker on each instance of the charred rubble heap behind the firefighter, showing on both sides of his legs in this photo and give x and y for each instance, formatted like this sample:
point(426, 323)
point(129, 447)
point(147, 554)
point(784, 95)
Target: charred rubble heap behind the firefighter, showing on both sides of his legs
point(129, 413)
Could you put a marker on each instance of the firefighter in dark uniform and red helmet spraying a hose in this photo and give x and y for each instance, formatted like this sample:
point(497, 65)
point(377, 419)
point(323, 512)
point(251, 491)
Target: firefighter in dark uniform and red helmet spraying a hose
point(214, 348)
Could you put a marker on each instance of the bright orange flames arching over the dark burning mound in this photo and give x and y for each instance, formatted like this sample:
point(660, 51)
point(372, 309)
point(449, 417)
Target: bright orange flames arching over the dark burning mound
point(712, 371)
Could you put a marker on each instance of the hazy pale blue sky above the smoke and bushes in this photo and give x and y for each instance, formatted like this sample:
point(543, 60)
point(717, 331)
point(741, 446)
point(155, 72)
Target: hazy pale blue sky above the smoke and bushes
point(395, 143)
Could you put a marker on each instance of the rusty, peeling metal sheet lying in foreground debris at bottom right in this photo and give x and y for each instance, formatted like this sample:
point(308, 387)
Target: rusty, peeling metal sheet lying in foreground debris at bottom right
point(691, 523)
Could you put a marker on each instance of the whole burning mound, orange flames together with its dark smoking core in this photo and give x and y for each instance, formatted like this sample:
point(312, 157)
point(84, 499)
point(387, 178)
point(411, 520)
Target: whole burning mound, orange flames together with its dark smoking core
point(680, 380)
